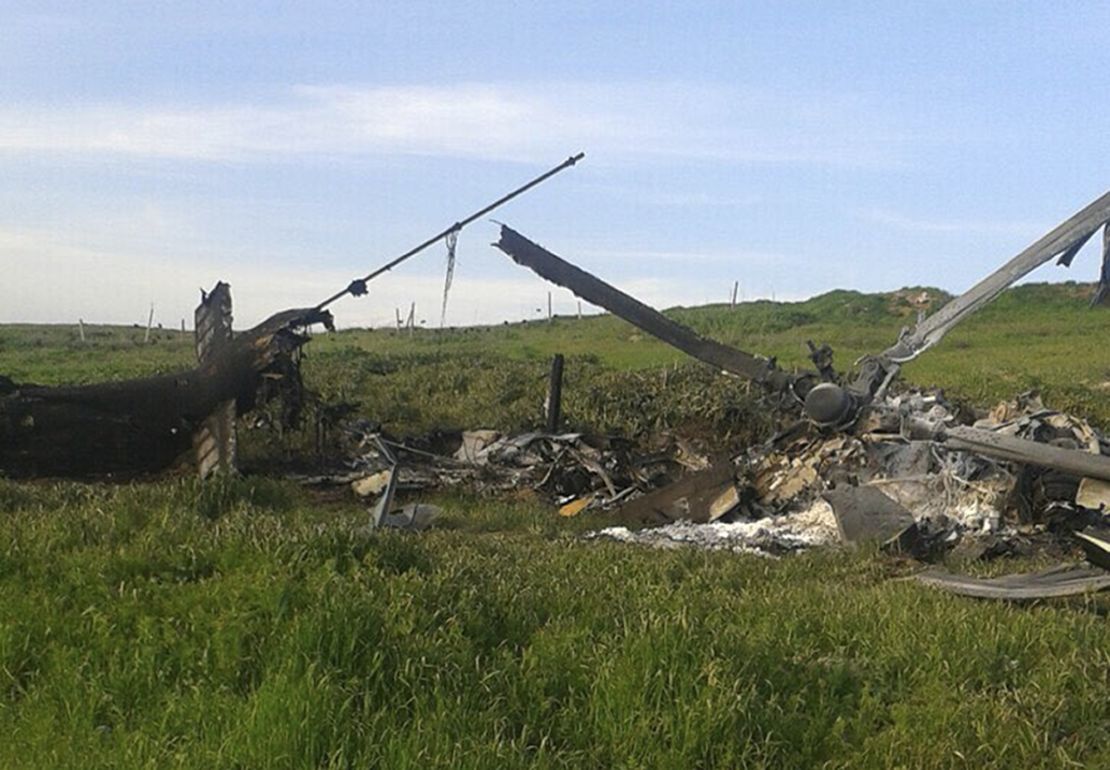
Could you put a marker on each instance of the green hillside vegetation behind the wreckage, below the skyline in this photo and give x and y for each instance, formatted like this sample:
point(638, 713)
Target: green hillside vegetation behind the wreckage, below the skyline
point(1035, 337)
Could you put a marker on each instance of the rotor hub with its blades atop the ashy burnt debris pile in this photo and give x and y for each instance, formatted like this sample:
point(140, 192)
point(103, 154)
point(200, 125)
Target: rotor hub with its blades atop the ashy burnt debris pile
point(887, 464)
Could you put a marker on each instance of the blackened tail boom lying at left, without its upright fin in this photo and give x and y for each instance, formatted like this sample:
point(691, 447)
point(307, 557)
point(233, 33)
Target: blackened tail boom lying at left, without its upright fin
point(147, 425)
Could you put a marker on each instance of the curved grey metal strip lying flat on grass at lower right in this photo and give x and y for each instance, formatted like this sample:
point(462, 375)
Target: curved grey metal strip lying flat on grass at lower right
point(1058, 582)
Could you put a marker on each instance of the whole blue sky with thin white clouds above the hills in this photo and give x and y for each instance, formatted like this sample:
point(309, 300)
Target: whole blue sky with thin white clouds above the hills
point(150, 149)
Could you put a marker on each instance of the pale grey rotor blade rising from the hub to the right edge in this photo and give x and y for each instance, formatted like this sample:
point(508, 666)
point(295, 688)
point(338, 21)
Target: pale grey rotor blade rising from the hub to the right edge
point(1063, 240)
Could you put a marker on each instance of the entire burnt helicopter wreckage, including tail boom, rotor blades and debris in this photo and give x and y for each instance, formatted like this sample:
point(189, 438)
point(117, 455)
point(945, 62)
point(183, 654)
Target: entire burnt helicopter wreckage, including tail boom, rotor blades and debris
point(860, 458)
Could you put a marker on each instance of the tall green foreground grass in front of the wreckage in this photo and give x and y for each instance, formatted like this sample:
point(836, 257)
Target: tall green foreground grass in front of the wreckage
point(169, 626)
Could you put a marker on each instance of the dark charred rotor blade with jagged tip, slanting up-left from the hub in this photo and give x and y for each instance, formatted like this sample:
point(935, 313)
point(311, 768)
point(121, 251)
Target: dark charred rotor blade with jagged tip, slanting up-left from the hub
point(596, 291)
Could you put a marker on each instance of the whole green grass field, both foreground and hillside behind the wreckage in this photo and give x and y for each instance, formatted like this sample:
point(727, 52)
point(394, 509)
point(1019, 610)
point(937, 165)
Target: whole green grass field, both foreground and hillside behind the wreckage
point(247, 624)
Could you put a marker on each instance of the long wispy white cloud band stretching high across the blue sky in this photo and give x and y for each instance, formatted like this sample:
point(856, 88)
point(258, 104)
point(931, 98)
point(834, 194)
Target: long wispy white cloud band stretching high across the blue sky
point(502, 121)
